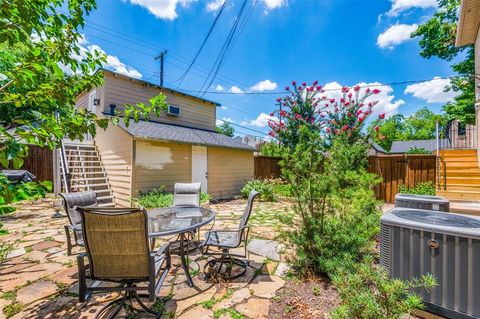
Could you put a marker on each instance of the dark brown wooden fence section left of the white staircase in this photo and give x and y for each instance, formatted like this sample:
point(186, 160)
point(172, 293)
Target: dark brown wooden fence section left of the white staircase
point(39, 162)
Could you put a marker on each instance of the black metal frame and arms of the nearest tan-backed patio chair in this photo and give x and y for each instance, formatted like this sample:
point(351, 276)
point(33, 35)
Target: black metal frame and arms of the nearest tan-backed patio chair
point(128, 286)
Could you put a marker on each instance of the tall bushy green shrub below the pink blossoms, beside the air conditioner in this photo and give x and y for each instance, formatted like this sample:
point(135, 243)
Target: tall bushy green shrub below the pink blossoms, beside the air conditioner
point(336, 215)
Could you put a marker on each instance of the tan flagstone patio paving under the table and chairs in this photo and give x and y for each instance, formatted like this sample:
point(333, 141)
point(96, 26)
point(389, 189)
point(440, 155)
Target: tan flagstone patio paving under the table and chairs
point(38, 280)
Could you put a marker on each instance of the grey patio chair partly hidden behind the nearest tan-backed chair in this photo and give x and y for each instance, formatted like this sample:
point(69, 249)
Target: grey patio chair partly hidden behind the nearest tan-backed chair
point(71, 201)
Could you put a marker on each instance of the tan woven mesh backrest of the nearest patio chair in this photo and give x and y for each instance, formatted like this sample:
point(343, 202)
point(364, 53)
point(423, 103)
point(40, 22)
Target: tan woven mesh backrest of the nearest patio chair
point(116, 241)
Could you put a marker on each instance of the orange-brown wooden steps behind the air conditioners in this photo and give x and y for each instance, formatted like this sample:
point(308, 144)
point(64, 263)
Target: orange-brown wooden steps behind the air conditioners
point(459, 174)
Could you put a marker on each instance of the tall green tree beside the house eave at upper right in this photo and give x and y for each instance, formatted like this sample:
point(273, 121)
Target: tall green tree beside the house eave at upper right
point(437, 39)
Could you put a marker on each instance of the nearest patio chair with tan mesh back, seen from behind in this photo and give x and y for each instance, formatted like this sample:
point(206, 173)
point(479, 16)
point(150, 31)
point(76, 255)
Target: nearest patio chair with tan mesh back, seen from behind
point(117, 248)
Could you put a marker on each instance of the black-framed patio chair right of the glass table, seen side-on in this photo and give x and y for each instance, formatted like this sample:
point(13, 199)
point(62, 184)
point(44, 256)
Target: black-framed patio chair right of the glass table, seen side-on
point(227, 239)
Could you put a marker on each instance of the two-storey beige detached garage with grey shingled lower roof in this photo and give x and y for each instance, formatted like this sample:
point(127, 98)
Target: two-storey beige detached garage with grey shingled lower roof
point(179, 146)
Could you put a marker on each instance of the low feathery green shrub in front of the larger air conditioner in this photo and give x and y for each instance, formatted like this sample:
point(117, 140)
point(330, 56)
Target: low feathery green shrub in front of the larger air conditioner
point(367, 292)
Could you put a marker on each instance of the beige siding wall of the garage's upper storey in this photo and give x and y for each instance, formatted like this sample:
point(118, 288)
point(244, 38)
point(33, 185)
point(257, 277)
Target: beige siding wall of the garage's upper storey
point(194, 113)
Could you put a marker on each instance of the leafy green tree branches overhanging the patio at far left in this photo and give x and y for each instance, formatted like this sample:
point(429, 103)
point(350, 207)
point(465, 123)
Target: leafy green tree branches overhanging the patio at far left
point(43, 67)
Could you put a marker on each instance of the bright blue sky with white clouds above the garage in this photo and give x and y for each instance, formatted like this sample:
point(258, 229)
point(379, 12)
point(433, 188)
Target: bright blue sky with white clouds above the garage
point(337, 42)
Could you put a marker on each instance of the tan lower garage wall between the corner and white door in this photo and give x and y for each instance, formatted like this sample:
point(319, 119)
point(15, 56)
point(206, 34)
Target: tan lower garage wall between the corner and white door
point(158, 163)
